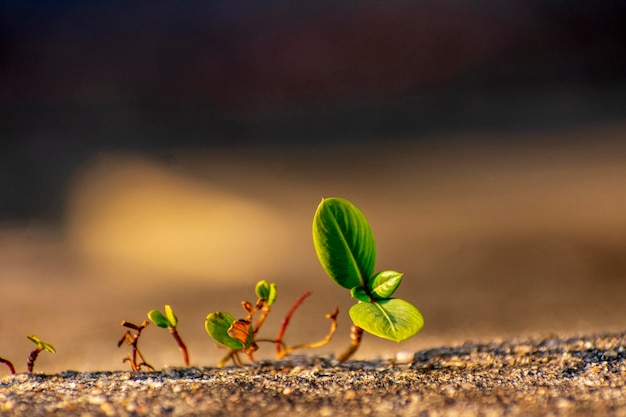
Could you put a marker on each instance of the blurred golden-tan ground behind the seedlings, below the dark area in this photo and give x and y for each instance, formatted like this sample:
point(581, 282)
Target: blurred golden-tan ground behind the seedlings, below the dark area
point(511, 236)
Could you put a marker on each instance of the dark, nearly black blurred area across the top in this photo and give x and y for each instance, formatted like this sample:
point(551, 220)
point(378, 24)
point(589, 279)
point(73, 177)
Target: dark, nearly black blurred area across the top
point(82, 77)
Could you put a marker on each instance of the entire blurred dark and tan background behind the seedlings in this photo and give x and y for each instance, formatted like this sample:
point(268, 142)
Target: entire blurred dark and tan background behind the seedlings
point(175, 152)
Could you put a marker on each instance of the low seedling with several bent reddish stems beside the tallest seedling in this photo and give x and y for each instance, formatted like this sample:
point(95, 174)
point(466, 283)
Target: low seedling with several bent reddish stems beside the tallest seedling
point(239, 335)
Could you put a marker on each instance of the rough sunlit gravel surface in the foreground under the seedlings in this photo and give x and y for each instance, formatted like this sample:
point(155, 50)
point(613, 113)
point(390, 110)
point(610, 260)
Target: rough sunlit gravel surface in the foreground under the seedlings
point(579, 376)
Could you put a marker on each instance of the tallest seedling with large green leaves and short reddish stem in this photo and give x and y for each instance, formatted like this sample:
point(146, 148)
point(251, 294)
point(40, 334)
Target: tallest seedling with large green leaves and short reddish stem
point(345, 247)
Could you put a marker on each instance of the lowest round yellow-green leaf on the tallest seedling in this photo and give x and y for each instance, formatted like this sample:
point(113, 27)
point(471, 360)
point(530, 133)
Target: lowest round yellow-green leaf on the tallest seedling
point(392, 319)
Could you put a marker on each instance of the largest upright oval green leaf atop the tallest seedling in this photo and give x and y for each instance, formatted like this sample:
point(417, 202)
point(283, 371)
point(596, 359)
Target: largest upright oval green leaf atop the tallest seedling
point(344, 242)
